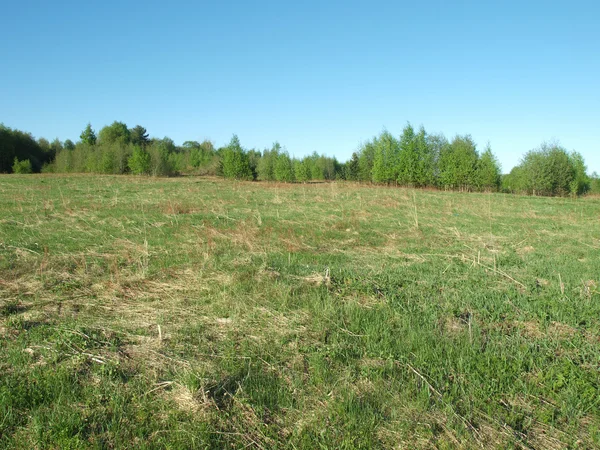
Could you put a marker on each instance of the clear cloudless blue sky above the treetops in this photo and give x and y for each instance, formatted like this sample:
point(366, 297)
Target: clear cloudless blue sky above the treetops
point(314, 75)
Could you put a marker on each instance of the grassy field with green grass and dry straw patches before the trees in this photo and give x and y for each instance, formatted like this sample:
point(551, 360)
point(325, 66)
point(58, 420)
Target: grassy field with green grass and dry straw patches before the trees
point(201, 313)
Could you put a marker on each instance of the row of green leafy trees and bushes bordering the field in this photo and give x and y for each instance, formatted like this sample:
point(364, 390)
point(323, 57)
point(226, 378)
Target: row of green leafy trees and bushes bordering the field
point(414, 159)
